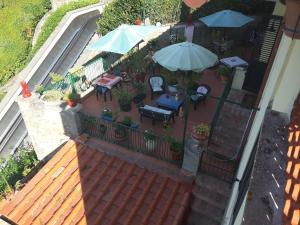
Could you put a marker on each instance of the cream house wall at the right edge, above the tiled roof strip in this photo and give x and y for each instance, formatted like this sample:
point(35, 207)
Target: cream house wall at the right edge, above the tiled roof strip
point(288, 86)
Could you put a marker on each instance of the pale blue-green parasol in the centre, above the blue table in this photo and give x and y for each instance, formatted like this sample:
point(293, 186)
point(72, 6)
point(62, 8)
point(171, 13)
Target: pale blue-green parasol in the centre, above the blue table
point(185, 56)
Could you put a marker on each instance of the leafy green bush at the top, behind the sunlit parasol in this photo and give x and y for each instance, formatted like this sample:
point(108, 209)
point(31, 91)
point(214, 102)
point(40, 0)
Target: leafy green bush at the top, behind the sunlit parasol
point(127, 11)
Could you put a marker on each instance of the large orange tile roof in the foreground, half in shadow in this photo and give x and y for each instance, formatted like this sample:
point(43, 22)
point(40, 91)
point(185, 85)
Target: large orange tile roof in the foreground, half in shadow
point(80, 185)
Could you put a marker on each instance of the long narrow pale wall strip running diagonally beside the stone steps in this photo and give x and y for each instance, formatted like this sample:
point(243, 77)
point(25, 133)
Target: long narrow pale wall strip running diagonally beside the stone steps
point(282, 57)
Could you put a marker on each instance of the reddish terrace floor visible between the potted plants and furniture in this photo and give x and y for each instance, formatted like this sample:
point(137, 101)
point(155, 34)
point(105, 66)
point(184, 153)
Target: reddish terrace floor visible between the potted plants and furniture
point(204, 112)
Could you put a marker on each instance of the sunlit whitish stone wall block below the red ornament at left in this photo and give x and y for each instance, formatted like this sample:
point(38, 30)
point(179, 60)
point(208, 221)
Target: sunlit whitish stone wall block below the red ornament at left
point(49, 124)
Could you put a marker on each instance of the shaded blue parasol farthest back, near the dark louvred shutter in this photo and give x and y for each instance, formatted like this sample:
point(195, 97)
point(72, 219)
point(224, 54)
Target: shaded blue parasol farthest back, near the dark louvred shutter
point(226, 18)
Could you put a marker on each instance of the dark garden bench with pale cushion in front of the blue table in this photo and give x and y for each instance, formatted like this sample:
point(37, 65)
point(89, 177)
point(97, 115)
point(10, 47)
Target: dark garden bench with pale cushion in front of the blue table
point(156, 114)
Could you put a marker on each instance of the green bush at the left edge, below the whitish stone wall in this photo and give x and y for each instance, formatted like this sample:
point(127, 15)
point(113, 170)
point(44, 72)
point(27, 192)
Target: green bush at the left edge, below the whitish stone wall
point(15, 168)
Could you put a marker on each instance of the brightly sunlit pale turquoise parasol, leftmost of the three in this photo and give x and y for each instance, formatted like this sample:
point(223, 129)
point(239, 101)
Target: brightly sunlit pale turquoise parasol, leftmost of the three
point(122, 39)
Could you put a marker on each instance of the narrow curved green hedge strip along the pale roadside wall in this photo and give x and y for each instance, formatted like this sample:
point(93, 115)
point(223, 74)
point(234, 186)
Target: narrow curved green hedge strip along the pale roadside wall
point(54, 19)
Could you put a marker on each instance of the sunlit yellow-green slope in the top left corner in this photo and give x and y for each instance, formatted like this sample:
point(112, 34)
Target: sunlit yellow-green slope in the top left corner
point(18, 19)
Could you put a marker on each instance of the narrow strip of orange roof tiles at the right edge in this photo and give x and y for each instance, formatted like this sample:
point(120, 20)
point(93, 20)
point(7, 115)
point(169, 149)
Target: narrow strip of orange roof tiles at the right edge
point(291, 209)
